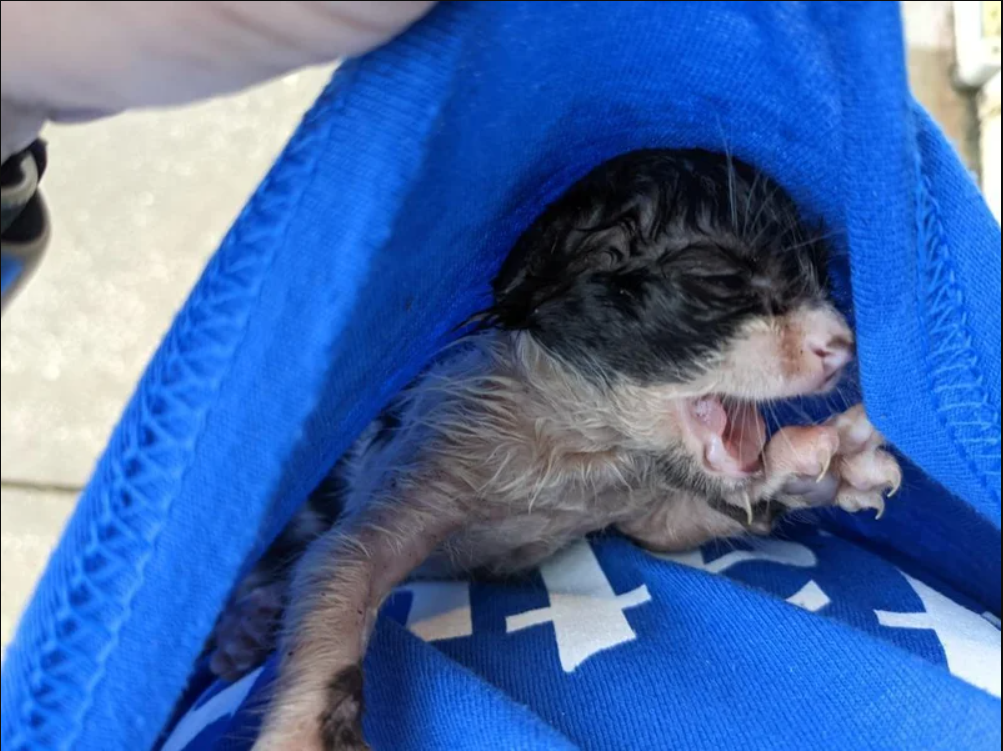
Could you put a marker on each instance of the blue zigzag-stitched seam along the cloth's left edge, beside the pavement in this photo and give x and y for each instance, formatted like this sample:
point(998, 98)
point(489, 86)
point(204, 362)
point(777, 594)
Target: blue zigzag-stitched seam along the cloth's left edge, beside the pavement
point(229, 296)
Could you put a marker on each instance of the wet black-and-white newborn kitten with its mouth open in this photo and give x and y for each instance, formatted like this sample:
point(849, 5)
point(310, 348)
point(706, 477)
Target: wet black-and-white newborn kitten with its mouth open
point(615, 384)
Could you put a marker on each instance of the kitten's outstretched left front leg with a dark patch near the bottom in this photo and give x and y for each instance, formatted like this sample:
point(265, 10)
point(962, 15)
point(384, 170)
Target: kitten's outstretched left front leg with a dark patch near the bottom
point(336, 595)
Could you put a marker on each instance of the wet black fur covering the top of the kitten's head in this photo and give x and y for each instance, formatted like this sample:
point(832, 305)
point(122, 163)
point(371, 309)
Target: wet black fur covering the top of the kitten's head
point(648, 265)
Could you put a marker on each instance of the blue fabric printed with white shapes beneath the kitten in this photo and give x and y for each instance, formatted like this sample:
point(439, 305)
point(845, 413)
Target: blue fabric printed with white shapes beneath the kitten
point(611, 649)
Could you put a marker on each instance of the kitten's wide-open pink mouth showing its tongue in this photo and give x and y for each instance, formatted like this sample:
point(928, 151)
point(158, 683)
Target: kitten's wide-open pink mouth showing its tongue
point(732, 432)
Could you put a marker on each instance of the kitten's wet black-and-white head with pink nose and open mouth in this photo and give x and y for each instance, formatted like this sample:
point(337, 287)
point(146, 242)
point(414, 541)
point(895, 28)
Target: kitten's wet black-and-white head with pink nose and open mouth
point(686, 286)
